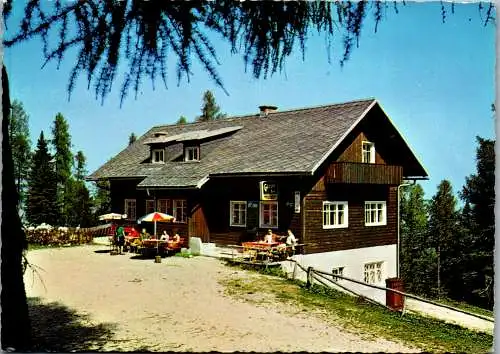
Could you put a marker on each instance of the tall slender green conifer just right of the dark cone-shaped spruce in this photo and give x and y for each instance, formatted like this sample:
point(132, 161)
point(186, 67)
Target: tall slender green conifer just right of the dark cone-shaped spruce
point(61, 141)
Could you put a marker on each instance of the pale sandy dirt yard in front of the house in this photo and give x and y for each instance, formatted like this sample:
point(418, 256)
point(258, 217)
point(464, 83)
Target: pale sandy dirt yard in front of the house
point(176, 305)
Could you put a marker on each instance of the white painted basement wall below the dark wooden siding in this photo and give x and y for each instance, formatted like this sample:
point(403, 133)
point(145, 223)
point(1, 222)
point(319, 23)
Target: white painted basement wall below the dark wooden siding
point(353, 261)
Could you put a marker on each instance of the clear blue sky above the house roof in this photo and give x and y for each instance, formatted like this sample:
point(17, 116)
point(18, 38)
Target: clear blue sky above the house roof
point(435, 81)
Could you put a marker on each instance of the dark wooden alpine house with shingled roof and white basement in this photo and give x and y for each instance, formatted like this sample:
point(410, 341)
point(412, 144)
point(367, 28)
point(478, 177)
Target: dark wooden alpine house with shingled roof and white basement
point(329, 173)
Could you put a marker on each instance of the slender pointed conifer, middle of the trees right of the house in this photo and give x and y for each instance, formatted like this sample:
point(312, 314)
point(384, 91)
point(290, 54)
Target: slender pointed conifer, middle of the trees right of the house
point(444, 234)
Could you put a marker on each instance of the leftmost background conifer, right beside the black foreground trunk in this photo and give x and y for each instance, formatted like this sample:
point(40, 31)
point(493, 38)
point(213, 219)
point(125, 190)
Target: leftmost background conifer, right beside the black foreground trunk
point(21, 149)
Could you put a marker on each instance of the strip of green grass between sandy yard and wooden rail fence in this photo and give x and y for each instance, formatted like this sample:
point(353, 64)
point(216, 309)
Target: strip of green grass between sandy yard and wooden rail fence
point(424, 333)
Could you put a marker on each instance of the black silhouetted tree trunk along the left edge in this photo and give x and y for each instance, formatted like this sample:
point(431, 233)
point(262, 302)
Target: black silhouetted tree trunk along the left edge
point(15, 317)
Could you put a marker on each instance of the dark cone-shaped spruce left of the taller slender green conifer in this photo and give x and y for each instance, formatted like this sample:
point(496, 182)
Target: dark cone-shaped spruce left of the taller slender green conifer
point(41, 204)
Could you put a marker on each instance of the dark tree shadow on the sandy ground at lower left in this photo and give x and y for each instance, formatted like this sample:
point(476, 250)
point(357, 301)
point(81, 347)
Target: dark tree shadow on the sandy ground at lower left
point(57, 328)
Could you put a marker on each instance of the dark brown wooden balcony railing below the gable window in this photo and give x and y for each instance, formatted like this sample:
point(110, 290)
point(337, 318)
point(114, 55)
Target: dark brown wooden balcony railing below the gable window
point(351, 172)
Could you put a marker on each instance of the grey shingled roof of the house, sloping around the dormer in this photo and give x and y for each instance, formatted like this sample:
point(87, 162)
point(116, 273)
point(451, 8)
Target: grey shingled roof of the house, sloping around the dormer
point(283, 142)
